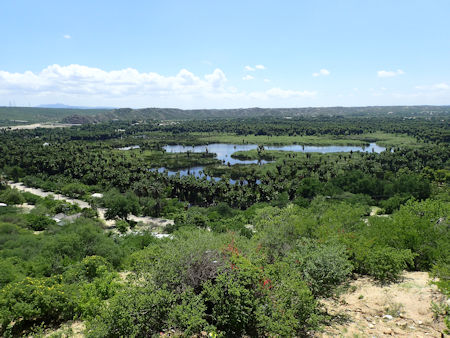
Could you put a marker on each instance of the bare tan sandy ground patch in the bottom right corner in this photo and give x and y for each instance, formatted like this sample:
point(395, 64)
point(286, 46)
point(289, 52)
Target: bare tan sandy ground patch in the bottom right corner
point(400, 310)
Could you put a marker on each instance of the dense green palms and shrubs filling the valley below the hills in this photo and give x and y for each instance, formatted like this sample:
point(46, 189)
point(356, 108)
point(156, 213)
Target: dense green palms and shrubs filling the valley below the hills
point(259, 236)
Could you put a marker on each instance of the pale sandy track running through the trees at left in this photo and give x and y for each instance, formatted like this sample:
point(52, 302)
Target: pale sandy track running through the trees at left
point(160, 222)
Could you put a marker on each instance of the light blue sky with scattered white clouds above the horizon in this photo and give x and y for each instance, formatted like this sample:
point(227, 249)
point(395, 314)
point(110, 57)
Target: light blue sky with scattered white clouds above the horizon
point(224, 54)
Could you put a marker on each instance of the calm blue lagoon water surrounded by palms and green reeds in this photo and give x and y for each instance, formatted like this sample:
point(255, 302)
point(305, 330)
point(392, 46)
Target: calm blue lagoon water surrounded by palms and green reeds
point(224, 152)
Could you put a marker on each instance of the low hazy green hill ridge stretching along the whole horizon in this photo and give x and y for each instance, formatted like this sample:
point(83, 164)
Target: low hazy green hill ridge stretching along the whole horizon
point(14, 115)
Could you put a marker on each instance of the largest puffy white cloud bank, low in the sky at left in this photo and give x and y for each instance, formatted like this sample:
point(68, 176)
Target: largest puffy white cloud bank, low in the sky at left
point(83, 80)
